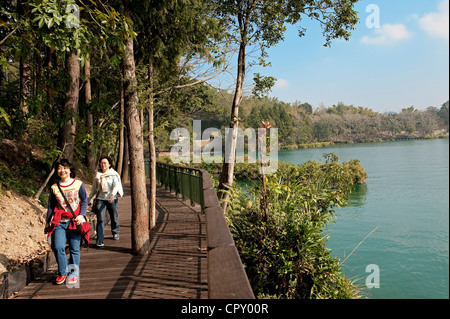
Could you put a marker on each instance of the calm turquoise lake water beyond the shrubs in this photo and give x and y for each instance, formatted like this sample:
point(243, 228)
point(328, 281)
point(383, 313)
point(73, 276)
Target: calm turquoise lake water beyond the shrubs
point(406, 201)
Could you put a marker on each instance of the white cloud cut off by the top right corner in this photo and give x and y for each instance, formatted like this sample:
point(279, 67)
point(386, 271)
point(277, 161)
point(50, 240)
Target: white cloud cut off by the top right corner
point(437, 23)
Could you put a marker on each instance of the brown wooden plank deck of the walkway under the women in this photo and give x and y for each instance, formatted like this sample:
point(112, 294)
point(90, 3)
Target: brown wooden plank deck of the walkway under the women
point(175, 267)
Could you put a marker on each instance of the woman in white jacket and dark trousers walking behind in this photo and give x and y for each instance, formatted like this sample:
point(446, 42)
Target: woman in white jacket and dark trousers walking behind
point(106, 186)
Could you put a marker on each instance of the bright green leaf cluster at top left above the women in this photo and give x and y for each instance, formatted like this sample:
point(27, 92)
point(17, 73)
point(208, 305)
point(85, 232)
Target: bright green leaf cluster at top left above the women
point(64, 30)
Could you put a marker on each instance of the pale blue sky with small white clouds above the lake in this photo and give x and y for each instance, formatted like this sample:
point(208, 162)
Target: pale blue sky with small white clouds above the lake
point(402, 62)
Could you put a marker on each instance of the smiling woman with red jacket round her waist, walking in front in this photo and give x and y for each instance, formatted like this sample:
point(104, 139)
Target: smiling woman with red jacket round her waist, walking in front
point(60, 222)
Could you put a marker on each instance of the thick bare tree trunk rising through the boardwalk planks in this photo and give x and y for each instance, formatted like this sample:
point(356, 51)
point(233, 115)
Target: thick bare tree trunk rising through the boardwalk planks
point(139, 227)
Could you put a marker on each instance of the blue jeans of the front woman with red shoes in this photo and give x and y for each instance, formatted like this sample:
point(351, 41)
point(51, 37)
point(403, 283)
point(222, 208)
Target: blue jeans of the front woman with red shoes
point(61, 235)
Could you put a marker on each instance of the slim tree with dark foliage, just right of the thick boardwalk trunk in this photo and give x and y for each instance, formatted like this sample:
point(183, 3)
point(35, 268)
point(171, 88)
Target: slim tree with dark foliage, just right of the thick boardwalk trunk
point(171, 34)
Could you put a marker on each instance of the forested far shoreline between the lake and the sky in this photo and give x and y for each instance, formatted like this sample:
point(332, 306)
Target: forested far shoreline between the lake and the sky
point(302, 126)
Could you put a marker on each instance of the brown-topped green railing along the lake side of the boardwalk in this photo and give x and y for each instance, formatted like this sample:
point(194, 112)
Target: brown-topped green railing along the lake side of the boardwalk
point(226, 274)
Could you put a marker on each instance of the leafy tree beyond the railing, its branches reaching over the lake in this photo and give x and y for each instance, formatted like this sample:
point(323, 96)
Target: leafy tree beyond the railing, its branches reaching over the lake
point(258, 22)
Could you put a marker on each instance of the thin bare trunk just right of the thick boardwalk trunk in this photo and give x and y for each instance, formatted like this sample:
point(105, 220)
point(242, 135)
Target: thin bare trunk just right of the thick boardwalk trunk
point(151, 148)
